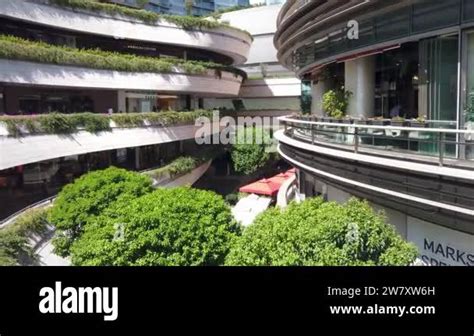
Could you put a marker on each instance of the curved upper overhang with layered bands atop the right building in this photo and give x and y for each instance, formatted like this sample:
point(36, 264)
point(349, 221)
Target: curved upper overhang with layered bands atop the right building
point(314, 33)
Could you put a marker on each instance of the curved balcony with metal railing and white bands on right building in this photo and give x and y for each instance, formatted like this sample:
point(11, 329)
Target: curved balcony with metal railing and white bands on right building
point(424, 172)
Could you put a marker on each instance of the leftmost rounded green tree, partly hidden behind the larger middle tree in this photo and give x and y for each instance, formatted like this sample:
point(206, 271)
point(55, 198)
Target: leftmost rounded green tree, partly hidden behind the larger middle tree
point(87, 197)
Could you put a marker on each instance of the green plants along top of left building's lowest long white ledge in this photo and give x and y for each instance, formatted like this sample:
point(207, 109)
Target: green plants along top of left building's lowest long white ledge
point(57, 123)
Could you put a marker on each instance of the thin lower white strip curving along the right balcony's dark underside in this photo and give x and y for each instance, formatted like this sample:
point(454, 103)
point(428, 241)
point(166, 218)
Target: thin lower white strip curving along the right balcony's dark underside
point(380, 190)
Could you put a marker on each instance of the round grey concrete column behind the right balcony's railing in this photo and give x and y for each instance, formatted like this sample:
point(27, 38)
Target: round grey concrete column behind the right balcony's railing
point(360, 80)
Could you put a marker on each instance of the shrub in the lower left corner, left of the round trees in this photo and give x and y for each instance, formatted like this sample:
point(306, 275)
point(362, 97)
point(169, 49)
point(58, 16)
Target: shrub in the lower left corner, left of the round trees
point(14, 246)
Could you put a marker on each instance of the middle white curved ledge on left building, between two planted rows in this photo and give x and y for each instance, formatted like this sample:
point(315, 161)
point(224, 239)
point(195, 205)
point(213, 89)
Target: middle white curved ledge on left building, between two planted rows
point(20, 72)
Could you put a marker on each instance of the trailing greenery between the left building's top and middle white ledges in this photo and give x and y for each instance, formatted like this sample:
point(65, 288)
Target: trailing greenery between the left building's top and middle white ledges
point(12, 47)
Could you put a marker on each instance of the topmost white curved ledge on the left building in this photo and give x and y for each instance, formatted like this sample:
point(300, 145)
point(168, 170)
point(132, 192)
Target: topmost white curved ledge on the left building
point(226, 41)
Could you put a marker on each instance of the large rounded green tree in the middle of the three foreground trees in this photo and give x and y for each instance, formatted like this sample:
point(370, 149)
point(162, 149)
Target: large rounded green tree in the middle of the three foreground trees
point(179, 226)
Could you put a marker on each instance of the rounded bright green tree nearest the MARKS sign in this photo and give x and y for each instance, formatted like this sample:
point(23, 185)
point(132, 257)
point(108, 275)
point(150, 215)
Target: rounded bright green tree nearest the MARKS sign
point(321, 233)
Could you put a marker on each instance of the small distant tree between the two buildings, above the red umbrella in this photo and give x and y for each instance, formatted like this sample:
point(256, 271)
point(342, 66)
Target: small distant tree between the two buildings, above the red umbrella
point(250, 153)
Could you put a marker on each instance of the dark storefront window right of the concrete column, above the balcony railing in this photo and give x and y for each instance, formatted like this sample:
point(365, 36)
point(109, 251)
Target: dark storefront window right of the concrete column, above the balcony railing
point(419, 79)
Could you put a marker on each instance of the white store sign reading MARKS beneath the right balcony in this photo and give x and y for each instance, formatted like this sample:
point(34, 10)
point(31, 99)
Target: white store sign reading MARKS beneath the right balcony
point(440, 246)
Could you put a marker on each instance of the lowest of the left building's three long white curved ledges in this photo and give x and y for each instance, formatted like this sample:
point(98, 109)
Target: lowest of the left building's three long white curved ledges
point(30, 149)
